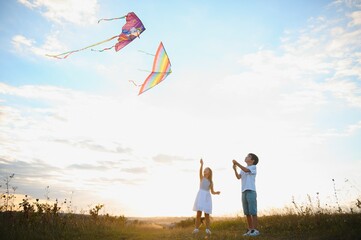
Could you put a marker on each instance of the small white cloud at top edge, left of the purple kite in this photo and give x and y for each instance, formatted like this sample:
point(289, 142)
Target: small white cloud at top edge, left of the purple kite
point(72, 11)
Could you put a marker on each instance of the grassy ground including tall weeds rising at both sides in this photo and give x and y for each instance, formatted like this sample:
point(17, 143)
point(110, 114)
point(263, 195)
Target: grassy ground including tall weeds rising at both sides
point(33, 219)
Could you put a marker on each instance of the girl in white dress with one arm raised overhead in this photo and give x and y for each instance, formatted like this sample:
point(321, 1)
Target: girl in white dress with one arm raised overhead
point(203, 202)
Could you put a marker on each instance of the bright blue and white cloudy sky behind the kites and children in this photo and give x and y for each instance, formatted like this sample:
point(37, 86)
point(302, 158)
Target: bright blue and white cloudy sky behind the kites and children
point(281, 79)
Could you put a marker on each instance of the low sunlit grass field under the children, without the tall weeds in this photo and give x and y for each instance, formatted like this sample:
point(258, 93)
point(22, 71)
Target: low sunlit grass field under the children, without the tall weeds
point(16, 225)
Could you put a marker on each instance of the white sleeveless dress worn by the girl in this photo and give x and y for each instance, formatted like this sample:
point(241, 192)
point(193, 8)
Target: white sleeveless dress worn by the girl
point(203, 200)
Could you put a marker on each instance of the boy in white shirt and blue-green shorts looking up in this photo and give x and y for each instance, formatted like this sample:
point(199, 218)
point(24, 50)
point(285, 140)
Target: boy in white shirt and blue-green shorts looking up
point(249, 194)
